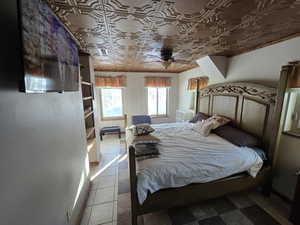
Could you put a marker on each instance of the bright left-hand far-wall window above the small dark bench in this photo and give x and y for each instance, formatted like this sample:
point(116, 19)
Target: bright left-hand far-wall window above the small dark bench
point(111, 103)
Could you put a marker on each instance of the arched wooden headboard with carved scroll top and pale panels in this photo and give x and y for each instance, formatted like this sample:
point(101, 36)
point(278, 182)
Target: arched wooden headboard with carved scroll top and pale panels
point(250, 106)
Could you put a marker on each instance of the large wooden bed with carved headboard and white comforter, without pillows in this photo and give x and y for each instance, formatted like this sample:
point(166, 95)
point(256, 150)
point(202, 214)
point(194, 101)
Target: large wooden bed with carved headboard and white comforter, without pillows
point(186, 173)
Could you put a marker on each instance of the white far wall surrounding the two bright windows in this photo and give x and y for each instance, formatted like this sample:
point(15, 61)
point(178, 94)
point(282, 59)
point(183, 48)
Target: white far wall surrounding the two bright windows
point(135, 96)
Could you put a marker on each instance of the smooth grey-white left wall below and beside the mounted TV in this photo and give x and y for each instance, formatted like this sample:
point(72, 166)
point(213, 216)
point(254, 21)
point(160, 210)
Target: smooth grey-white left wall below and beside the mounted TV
point(43, 147)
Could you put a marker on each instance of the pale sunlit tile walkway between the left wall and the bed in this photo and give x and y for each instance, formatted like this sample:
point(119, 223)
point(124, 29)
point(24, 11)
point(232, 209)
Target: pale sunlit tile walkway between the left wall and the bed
point(102, 202)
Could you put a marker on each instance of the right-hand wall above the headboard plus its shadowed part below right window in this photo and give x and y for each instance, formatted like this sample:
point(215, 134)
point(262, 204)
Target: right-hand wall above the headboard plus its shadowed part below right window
point(260, 66)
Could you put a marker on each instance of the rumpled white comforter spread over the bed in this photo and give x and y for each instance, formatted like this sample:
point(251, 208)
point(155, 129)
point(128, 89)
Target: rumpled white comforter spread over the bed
point(187, 157)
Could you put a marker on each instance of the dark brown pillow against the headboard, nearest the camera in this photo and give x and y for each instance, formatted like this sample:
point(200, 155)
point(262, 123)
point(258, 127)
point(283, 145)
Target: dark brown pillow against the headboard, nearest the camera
point(237, 136)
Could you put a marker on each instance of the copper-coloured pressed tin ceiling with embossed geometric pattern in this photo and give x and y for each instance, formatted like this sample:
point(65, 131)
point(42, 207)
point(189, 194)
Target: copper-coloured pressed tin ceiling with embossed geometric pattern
point(127, 35)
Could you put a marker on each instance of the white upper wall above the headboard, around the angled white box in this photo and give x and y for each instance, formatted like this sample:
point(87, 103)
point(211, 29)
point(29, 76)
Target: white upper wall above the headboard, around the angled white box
point(259, 66)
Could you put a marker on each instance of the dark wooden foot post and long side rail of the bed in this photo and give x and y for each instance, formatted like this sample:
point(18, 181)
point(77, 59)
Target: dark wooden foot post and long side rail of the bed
point(190, 194)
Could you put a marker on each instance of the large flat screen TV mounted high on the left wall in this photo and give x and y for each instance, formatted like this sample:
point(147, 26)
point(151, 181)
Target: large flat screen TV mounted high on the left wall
point(50, 54)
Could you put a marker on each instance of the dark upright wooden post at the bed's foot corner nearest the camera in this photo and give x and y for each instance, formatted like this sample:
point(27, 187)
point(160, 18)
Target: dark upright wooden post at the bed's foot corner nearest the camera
point(133, 185)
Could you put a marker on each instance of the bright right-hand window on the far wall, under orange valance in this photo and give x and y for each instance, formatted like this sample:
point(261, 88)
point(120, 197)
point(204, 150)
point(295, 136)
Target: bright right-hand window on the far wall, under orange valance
point(157, 101)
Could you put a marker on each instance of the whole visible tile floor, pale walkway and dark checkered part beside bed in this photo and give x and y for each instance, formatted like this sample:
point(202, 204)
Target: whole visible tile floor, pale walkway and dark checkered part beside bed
point(109, 200)
